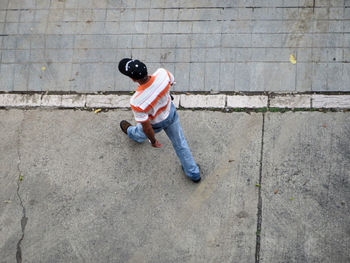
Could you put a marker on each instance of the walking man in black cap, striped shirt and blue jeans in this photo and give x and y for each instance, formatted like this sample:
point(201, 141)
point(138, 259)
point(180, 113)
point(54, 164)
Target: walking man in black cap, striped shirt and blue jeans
point(154, 111)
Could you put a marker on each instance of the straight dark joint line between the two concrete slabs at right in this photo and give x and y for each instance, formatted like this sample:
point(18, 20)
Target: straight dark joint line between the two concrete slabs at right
point(259, 213)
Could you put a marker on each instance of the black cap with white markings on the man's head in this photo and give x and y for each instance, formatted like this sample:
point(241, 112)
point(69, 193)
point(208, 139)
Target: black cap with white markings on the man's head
point(132, 68)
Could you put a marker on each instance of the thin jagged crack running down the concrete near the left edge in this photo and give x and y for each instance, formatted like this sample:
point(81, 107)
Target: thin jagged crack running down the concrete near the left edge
point(24, 218)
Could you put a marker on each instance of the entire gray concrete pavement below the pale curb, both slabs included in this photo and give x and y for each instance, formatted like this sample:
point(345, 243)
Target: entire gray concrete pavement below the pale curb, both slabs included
point(89, 194)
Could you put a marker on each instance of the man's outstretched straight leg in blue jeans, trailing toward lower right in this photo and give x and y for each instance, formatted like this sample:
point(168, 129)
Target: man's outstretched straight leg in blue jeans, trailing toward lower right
point(175, 134)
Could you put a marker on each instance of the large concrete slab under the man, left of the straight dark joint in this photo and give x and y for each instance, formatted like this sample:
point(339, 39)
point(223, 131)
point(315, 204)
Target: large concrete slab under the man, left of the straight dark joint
point(92, 195)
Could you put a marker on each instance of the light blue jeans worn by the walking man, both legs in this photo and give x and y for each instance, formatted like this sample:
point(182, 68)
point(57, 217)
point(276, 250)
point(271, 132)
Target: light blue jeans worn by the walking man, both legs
point(173, 130)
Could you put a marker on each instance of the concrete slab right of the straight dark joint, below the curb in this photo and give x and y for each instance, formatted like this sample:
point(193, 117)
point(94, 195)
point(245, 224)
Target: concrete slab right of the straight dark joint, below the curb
point(307, 161)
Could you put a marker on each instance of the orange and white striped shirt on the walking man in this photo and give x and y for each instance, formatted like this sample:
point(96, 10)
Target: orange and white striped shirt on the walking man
point(152, 101)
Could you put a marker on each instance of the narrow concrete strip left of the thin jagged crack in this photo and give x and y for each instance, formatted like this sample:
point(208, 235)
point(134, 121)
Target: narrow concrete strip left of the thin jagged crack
point(10, 208)
